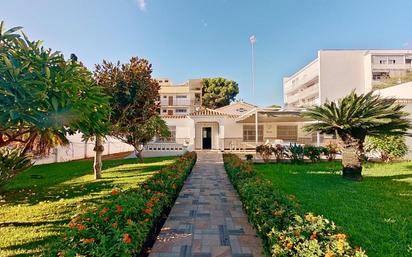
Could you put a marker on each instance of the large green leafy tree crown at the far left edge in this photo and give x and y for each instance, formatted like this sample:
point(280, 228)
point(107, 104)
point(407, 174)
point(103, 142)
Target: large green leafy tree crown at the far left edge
point(43, 97)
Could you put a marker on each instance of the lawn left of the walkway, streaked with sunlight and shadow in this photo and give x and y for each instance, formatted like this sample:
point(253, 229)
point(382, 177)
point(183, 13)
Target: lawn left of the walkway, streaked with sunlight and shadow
point(37, 204)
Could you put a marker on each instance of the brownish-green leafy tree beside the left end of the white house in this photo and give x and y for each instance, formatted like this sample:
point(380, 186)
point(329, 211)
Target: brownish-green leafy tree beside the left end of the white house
point(134, 118)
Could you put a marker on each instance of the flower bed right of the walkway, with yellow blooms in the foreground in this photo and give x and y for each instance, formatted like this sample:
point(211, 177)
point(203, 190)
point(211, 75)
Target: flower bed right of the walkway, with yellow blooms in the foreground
point(284, 229)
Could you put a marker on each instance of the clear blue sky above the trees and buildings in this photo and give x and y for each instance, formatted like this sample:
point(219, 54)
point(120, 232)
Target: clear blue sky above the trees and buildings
point(186, 39)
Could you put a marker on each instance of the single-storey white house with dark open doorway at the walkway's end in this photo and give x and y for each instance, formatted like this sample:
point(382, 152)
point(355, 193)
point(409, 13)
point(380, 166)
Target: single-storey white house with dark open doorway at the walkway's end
point(238, 126)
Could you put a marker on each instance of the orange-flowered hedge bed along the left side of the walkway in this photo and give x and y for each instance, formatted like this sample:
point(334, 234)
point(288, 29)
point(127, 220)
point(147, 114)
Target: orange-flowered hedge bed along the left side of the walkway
point(128, 219)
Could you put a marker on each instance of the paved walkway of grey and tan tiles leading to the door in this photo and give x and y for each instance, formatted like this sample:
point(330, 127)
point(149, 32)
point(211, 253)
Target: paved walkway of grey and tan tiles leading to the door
point(207, 219)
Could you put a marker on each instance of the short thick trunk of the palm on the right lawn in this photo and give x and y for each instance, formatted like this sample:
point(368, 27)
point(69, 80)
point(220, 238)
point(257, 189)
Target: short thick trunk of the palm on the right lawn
point(351, 161)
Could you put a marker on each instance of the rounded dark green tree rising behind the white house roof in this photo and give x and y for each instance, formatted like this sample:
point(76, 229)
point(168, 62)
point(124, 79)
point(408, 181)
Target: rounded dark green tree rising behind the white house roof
point(218, 92)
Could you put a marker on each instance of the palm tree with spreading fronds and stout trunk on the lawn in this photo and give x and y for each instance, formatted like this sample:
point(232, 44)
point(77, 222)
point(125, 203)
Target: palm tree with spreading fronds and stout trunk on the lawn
point(353, 118)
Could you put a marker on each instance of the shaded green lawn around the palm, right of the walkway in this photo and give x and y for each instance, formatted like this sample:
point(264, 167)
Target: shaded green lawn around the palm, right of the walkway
point(376, 213)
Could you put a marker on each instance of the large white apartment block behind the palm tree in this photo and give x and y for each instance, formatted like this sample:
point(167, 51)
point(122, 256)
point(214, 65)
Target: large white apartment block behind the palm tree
point(335, 73)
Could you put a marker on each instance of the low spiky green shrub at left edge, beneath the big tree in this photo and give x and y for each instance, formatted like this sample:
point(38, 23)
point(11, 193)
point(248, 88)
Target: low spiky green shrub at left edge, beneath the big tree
point(12, 161)
